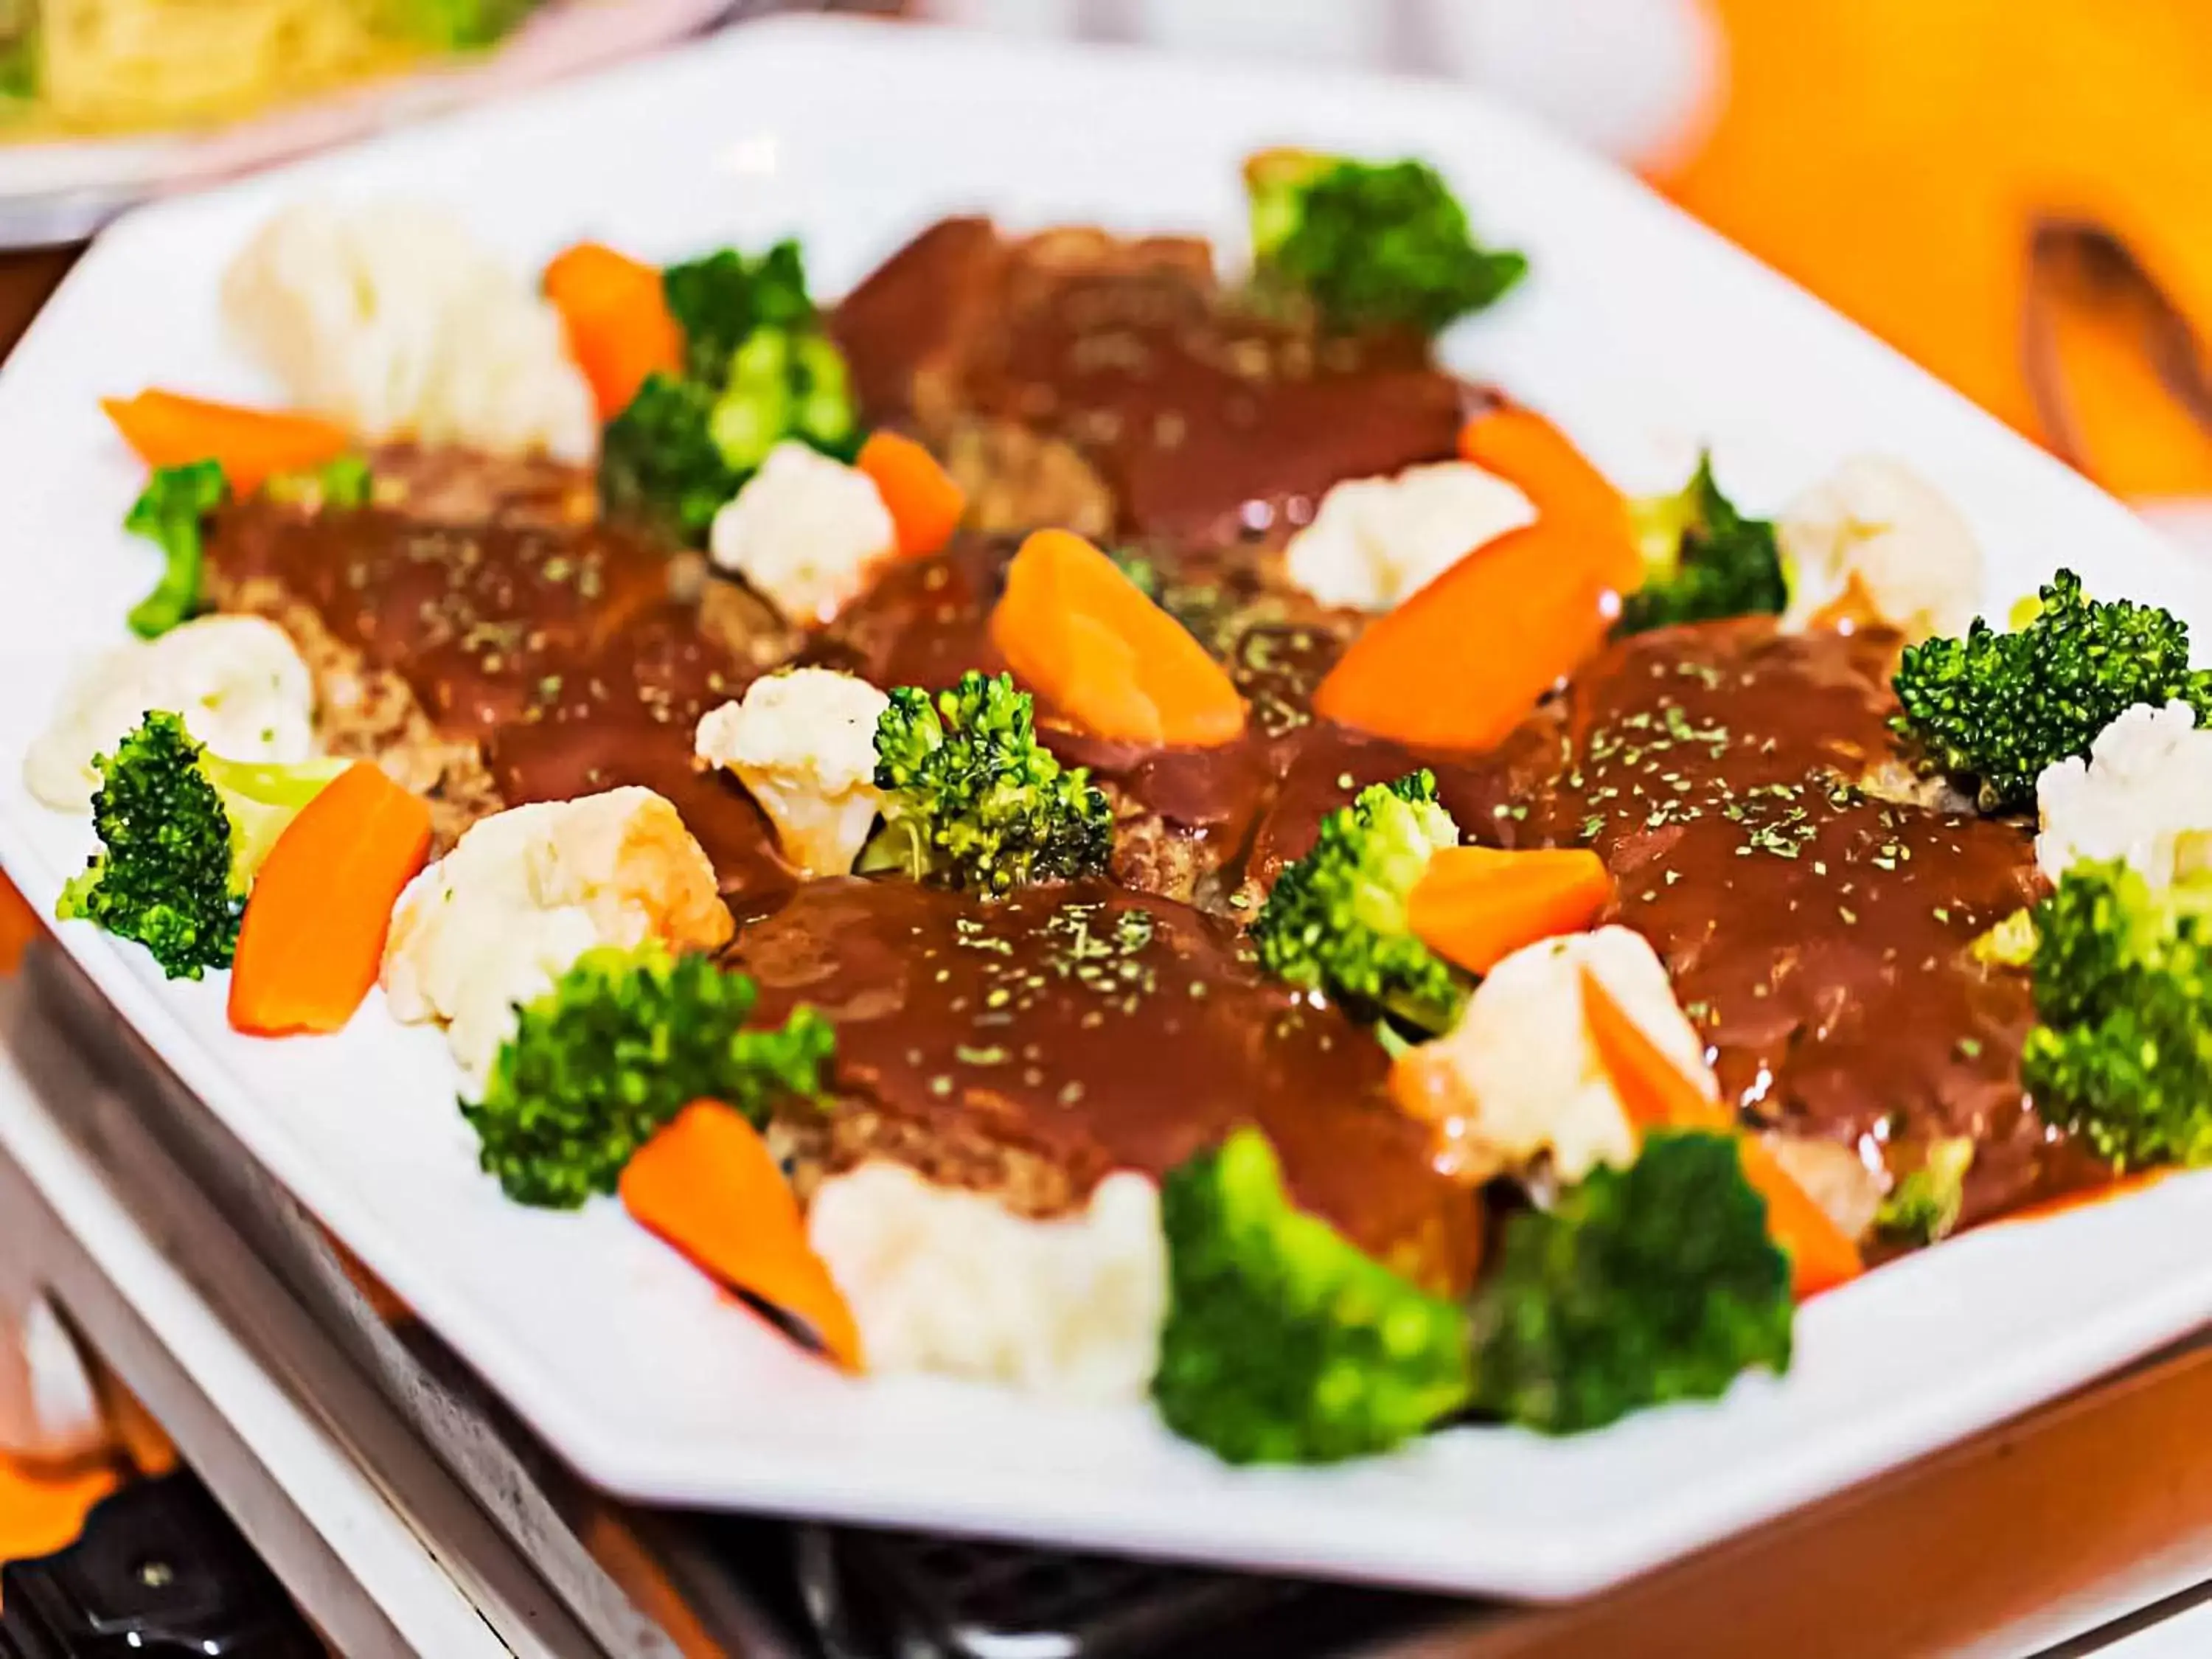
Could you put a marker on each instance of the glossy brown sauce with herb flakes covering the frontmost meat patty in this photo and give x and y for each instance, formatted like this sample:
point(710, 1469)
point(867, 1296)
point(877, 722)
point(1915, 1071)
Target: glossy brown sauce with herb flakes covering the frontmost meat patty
point(1100, 1030)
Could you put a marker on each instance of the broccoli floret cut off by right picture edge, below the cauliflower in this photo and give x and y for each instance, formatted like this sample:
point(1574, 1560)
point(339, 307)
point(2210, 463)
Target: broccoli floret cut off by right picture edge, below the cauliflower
point(2122, 1050)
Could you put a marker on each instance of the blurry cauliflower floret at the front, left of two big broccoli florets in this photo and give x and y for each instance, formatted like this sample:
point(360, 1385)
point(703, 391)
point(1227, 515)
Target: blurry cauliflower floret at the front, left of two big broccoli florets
point(950, 1282)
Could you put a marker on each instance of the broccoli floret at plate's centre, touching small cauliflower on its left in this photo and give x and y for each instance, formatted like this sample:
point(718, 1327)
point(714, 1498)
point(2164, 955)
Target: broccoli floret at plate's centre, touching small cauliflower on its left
point(974, 800)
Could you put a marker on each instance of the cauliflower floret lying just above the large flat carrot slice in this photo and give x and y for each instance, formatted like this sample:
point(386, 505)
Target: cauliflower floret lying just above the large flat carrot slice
point(1379, 541)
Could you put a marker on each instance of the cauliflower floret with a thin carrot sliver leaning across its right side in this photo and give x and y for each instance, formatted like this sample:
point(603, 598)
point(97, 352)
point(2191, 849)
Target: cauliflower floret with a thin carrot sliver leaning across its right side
point(1521, 1078)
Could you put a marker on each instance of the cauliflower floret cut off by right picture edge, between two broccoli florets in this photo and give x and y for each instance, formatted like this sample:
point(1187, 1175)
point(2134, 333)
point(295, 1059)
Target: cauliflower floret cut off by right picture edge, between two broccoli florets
point(2142, 795)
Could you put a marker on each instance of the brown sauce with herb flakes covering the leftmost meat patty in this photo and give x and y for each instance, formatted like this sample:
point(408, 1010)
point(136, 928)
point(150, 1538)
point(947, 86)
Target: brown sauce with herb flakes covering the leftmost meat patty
point(559, 654)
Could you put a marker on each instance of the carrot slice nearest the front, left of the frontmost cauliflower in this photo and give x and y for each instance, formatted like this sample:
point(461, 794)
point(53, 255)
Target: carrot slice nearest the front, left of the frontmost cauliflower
point(709, 1187)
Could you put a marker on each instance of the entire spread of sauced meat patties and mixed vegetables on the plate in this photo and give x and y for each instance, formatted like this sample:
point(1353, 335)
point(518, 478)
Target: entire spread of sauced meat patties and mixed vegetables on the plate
point(1107, 826)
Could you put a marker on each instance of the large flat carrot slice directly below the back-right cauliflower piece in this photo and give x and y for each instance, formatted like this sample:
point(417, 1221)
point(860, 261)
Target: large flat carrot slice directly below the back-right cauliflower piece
point(1461, 662)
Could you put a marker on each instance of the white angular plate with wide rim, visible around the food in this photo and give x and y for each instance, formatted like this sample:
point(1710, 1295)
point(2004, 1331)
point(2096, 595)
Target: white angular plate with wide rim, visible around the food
point(1640, 331)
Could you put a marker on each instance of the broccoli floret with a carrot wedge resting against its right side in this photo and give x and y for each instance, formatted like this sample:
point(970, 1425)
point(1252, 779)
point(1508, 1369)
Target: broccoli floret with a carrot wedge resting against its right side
point(1337, 919)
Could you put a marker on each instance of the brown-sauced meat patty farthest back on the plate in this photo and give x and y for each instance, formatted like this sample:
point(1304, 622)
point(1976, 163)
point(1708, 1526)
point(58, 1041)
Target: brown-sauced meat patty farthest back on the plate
point(1204, 421)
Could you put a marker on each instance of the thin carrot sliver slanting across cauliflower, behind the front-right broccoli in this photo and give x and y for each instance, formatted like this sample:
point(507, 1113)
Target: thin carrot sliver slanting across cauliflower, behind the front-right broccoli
point(1658, 1094)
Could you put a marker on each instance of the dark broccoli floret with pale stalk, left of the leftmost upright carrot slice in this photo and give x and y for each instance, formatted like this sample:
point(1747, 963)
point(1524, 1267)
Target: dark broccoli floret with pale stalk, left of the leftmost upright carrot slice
point(182, 835)
